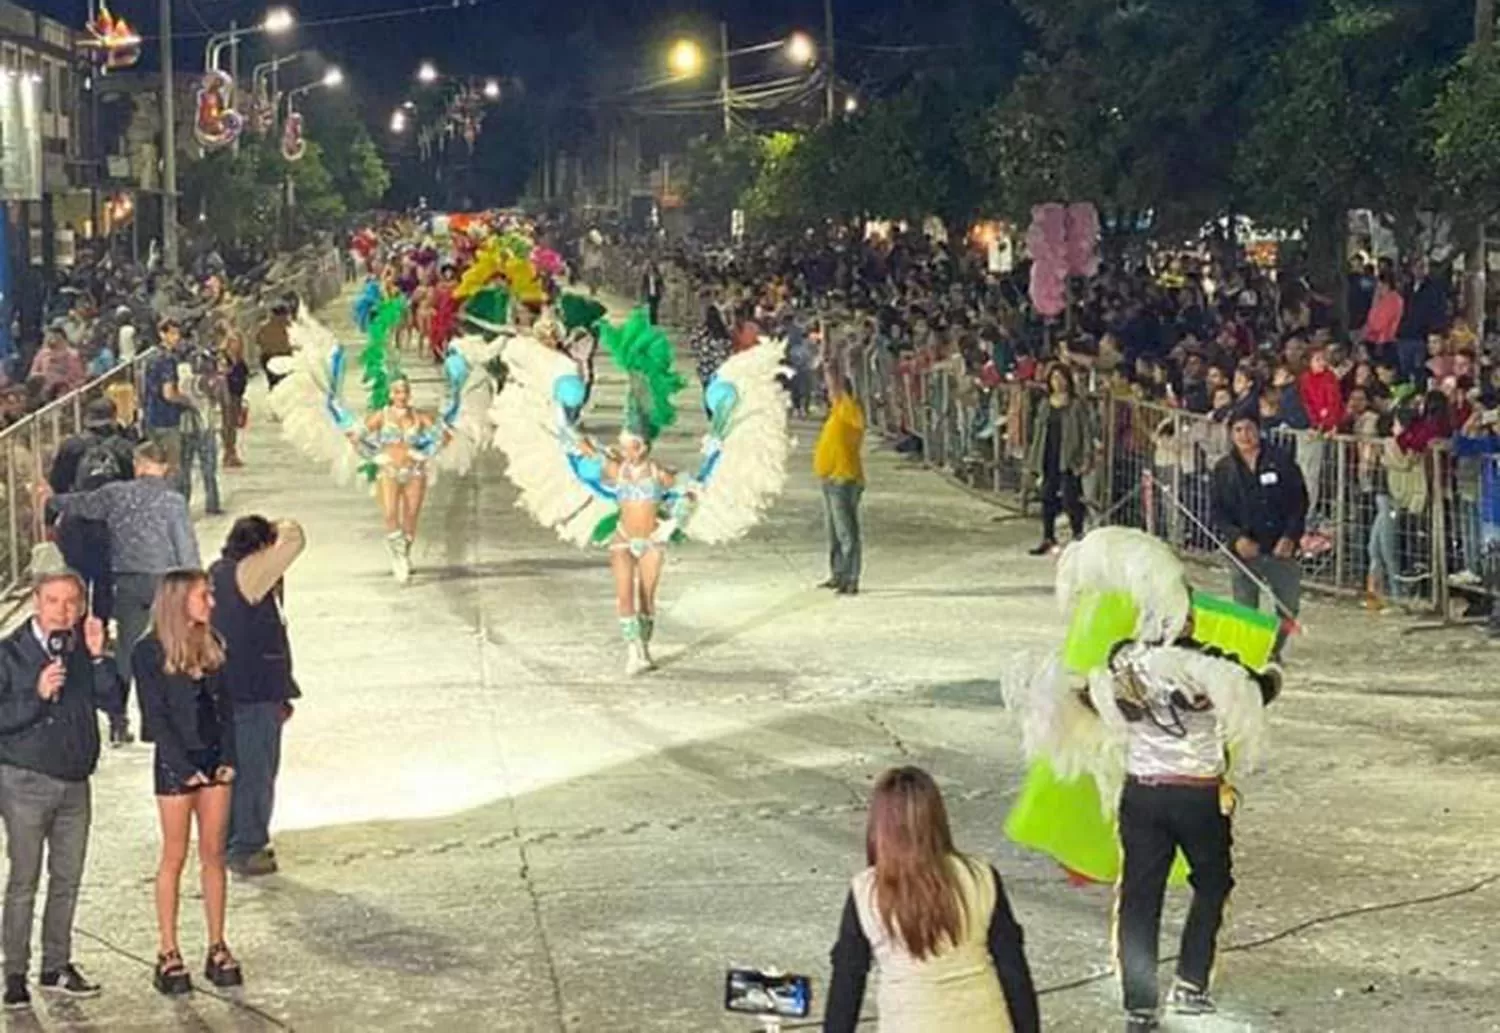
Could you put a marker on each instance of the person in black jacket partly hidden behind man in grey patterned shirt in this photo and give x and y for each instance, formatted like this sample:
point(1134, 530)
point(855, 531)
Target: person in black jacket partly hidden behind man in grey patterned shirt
point(85, 463)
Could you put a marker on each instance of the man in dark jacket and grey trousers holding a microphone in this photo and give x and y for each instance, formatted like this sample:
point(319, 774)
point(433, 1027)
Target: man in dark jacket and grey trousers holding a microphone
point(53, 677)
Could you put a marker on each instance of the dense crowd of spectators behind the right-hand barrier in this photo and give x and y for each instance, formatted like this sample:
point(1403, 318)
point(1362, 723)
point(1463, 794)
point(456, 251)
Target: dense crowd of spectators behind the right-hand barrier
point(1372, 394)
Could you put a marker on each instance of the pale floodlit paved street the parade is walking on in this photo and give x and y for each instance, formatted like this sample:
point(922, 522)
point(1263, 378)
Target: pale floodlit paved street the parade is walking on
point(484, 827)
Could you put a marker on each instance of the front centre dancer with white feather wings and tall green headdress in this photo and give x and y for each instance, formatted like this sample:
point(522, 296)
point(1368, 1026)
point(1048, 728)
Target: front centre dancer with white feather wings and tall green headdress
point(623, 499)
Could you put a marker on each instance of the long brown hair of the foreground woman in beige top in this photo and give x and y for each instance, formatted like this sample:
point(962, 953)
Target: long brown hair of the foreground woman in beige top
point(911, 846)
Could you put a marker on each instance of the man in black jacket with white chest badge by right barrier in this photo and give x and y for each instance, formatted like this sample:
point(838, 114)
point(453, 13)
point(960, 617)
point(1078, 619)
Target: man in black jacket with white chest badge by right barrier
point(1261, 503)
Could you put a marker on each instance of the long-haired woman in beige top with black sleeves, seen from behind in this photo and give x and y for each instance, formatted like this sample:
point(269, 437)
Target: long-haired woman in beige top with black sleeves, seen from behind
point(934, 921)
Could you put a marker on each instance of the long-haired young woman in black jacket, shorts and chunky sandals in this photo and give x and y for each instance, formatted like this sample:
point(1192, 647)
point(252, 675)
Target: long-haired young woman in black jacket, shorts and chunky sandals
point(179, 669)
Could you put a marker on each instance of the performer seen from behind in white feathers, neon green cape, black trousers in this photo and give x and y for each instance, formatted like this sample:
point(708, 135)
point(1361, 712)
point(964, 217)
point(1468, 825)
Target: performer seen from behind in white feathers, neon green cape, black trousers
point(1174, 696)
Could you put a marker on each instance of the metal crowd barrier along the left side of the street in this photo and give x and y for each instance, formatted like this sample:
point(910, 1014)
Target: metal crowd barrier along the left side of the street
point(29, 446)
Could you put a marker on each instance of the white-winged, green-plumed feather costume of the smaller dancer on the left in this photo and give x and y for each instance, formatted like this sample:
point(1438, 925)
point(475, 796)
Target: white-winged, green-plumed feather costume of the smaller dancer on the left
point(316, 418)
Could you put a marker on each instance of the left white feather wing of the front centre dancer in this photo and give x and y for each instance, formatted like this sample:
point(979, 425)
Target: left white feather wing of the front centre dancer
point(529, 431)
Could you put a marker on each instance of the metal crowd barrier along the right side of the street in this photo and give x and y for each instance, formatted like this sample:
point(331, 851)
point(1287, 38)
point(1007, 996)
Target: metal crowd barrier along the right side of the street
point(1406, 525)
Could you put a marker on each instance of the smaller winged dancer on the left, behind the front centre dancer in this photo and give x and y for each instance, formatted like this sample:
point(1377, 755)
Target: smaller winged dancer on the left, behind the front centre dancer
point(397, 448)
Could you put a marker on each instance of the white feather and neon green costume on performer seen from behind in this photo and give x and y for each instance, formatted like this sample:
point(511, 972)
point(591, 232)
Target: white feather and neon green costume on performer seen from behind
point(1126, 596)
